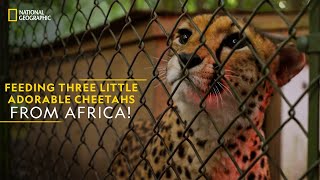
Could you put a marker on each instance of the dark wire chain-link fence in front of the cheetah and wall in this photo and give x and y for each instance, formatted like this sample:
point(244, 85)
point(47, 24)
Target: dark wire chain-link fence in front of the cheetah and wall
point(131, 41)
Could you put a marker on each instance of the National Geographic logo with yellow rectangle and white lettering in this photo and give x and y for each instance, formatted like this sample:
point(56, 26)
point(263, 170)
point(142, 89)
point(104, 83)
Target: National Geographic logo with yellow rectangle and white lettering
point(27, 15)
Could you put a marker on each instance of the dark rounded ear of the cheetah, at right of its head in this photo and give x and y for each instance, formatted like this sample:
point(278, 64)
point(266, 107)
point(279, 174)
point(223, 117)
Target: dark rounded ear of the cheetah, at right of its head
point(291, 63)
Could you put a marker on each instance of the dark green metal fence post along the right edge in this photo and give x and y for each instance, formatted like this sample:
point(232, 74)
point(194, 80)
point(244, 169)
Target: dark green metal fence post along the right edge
point(314, 94)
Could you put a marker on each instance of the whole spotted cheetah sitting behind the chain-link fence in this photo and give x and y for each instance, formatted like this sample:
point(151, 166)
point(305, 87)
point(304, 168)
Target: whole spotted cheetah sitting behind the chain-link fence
point(209, 134)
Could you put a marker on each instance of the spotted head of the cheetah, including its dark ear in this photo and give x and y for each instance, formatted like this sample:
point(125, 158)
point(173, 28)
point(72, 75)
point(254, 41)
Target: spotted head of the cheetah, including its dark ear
point(223, 59)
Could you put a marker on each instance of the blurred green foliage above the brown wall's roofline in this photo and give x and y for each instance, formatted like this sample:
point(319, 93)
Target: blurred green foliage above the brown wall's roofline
point(74, 16)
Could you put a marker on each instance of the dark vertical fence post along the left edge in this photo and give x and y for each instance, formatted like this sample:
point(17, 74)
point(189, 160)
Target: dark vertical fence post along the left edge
point(4, 108)
